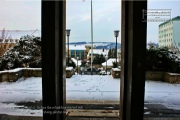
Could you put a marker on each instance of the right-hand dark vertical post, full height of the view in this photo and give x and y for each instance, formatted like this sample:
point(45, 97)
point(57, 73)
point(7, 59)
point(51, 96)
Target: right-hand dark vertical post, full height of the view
point(133, 56)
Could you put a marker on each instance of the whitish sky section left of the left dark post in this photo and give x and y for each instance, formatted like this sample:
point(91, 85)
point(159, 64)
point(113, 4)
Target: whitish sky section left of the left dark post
point(20, 15)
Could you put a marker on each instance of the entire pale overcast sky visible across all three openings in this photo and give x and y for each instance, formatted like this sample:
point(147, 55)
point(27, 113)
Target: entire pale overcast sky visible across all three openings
point(26, 15)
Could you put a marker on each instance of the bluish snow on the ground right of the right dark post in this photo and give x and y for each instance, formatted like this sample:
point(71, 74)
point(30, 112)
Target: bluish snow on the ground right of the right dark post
point(163, 93)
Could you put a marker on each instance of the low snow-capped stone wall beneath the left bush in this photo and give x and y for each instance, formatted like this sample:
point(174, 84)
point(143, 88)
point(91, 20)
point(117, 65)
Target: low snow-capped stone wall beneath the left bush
point(15, 74)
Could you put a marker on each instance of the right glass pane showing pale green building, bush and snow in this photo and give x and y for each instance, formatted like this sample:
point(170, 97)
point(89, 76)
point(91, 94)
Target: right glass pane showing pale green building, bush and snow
point(162, 86)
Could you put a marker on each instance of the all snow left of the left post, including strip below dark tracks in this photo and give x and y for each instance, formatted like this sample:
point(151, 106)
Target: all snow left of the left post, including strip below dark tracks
point(22, 90)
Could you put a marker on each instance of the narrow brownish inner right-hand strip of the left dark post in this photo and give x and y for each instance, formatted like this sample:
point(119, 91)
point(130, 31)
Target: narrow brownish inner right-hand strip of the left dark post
point(60, 55)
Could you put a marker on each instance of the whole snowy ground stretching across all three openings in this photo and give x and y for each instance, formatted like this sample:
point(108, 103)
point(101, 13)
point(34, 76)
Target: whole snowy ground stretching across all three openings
point(85, 87)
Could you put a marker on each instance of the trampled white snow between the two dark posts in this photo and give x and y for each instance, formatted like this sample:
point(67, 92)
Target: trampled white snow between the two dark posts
point(92, 87)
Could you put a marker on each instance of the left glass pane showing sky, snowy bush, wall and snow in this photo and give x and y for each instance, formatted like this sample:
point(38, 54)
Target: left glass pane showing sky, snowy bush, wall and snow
point(20, 59)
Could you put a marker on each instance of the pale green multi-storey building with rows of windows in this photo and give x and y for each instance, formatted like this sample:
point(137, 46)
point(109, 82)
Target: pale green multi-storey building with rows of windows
point(169, 33)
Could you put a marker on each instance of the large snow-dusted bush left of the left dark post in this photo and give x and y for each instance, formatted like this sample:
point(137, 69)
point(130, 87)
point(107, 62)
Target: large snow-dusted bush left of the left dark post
point(25, 53)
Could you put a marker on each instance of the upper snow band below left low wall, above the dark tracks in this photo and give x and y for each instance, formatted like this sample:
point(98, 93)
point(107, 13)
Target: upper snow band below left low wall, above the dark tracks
point(22, 90)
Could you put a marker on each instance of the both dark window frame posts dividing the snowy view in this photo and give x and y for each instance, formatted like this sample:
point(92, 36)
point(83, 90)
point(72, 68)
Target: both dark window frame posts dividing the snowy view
point(54, 54)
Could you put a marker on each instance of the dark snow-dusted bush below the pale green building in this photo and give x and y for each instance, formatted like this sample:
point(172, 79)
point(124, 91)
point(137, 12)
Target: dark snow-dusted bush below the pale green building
point(162, 59)
